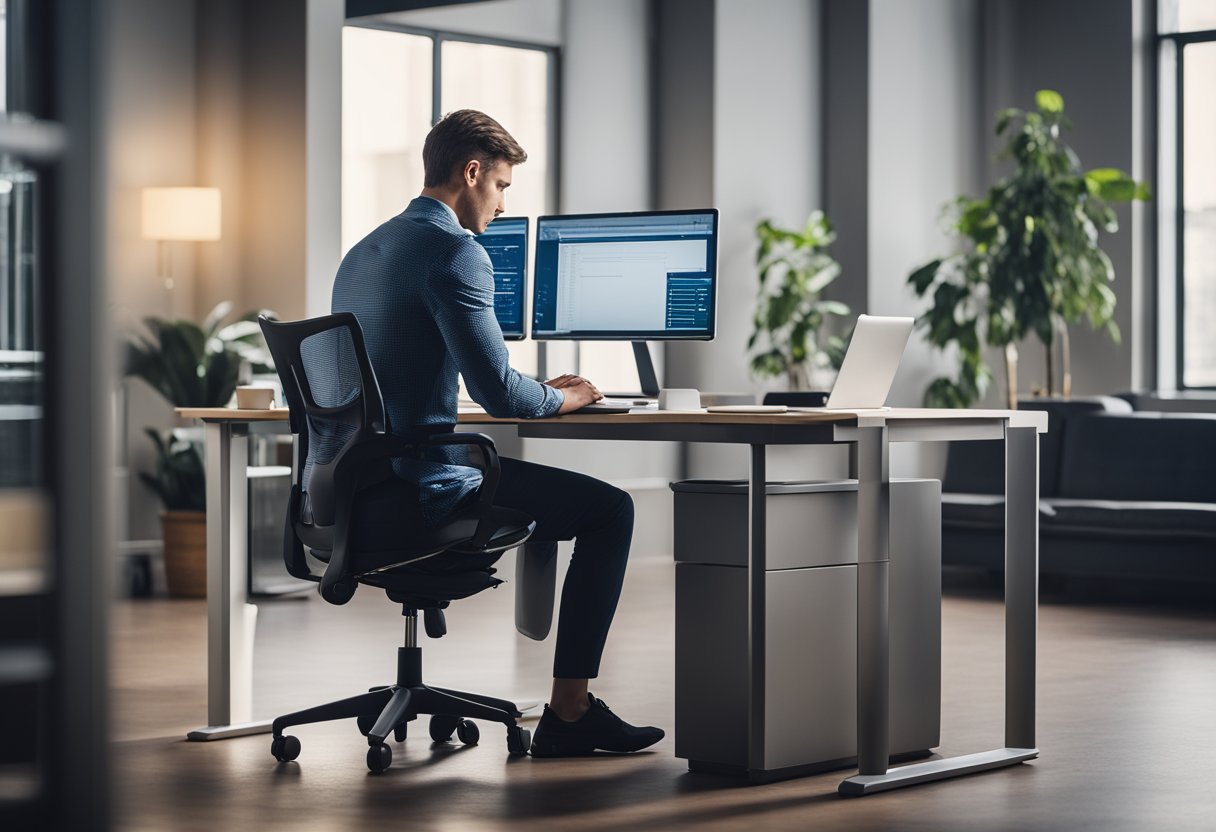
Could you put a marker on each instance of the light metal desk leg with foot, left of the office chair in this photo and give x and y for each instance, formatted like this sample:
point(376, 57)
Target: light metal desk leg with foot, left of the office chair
point(230, 619)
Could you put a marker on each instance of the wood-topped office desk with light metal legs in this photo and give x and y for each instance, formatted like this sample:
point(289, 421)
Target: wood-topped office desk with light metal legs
point(868, 432)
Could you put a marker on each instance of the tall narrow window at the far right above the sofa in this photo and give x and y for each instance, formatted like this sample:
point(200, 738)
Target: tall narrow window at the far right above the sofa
point(1187, 199)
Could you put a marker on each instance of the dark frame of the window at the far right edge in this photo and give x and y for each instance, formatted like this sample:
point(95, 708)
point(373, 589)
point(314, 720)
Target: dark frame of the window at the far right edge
point(1172, 151)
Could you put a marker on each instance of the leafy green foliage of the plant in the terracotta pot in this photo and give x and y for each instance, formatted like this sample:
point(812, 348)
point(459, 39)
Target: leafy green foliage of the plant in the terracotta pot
point(193, 367)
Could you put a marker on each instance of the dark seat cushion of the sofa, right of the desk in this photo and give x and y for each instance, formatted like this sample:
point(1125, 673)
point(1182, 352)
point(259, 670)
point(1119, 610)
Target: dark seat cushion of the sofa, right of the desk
point(1129, 519)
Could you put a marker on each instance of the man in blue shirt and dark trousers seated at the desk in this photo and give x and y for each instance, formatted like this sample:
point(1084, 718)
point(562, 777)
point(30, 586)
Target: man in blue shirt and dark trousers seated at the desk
point(423, 289)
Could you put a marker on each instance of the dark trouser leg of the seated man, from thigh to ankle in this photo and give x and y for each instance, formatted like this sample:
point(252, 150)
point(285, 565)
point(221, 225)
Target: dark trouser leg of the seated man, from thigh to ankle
point(600, 519)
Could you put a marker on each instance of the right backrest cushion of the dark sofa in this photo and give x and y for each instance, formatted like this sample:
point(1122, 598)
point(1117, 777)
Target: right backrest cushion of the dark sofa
point(1140, 457)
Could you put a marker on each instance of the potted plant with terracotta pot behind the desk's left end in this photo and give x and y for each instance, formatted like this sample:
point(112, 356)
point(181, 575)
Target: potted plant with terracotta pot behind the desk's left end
point(192, 367)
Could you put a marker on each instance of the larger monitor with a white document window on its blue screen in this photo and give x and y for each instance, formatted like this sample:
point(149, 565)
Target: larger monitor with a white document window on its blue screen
point(645, 277)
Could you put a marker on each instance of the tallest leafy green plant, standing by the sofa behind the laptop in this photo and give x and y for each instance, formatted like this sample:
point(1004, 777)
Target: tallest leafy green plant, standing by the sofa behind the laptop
point(1032, 263)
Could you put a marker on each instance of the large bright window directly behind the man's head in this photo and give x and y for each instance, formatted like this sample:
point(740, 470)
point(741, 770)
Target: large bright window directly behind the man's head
point(398, 82)
